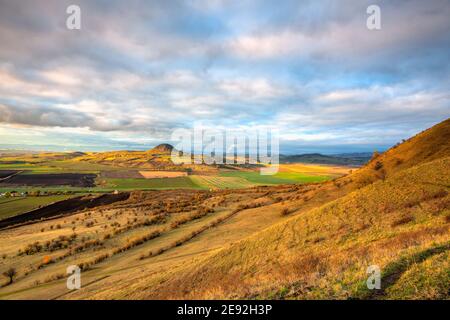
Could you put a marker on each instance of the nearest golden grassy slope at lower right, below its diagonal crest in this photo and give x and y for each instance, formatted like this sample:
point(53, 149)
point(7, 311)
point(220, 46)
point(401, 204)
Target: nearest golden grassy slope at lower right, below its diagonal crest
point(397, 224)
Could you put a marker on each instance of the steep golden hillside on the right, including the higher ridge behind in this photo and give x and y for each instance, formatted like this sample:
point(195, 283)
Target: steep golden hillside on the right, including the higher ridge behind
point(399, 223)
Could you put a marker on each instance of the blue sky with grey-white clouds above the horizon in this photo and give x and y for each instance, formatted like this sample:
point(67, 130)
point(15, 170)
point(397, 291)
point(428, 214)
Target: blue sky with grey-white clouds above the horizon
point(138, 70)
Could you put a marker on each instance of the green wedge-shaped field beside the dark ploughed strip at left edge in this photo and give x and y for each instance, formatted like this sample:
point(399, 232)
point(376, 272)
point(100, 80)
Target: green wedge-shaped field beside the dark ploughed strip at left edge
point(13, 206)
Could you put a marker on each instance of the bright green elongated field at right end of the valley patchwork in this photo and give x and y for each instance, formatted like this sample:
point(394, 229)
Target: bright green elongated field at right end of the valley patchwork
point(279, 178)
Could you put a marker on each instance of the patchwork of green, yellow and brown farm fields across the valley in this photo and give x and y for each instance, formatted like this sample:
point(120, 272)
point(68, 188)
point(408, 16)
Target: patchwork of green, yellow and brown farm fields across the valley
point(53, 174)
